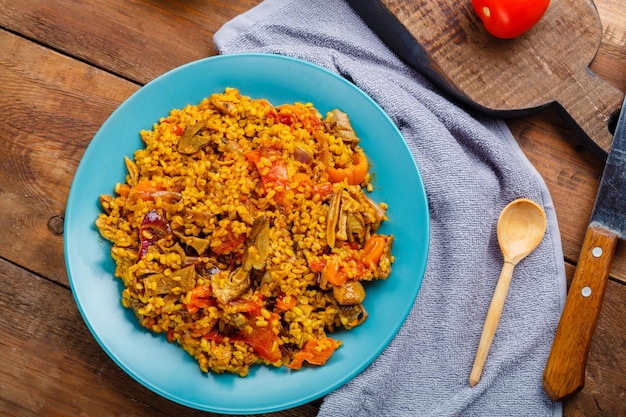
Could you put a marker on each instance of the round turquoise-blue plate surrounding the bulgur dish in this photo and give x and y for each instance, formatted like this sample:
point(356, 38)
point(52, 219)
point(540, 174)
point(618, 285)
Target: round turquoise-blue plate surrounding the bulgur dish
point(167, 369)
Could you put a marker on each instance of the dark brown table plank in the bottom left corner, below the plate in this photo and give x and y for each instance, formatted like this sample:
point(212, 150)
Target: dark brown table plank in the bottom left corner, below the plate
point(52, 366)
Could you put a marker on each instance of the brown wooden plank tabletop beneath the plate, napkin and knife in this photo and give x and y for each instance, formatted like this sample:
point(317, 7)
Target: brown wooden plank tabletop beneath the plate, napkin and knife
point(65, 65)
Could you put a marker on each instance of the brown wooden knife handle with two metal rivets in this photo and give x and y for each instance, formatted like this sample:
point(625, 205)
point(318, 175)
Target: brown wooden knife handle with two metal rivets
point(564, 375)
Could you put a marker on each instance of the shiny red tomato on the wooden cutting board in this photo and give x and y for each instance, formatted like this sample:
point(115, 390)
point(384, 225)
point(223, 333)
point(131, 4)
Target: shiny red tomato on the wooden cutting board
point(508, 19)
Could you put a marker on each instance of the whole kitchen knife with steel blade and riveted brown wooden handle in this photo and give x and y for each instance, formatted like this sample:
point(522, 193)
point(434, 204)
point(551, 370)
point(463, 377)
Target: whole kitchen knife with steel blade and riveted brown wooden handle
point(564, 374)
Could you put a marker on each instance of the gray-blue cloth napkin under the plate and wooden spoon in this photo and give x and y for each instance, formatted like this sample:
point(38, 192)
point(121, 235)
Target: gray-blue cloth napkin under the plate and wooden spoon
point(471, 167)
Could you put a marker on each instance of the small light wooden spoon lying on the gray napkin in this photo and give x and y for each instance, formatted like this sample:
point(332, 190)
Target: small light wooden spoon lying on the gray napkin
point(521, 227)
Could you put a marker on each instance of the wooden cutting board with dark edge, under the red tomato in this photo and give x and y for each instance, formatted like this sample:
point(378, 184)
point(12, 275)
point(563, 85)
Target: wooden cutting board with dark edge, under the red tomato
point(446, 41)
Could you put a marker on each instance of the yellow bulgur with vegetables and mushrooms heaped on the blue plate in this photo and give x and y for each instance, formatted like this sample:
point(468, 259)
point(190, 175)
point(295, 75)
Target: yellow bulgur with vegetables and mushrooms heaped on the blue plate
point(244, 232)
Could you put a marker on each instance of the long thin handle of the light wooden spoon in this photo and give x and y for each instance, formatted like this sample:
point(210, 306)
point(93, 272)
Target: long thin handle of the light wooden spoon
point(491, 321)
